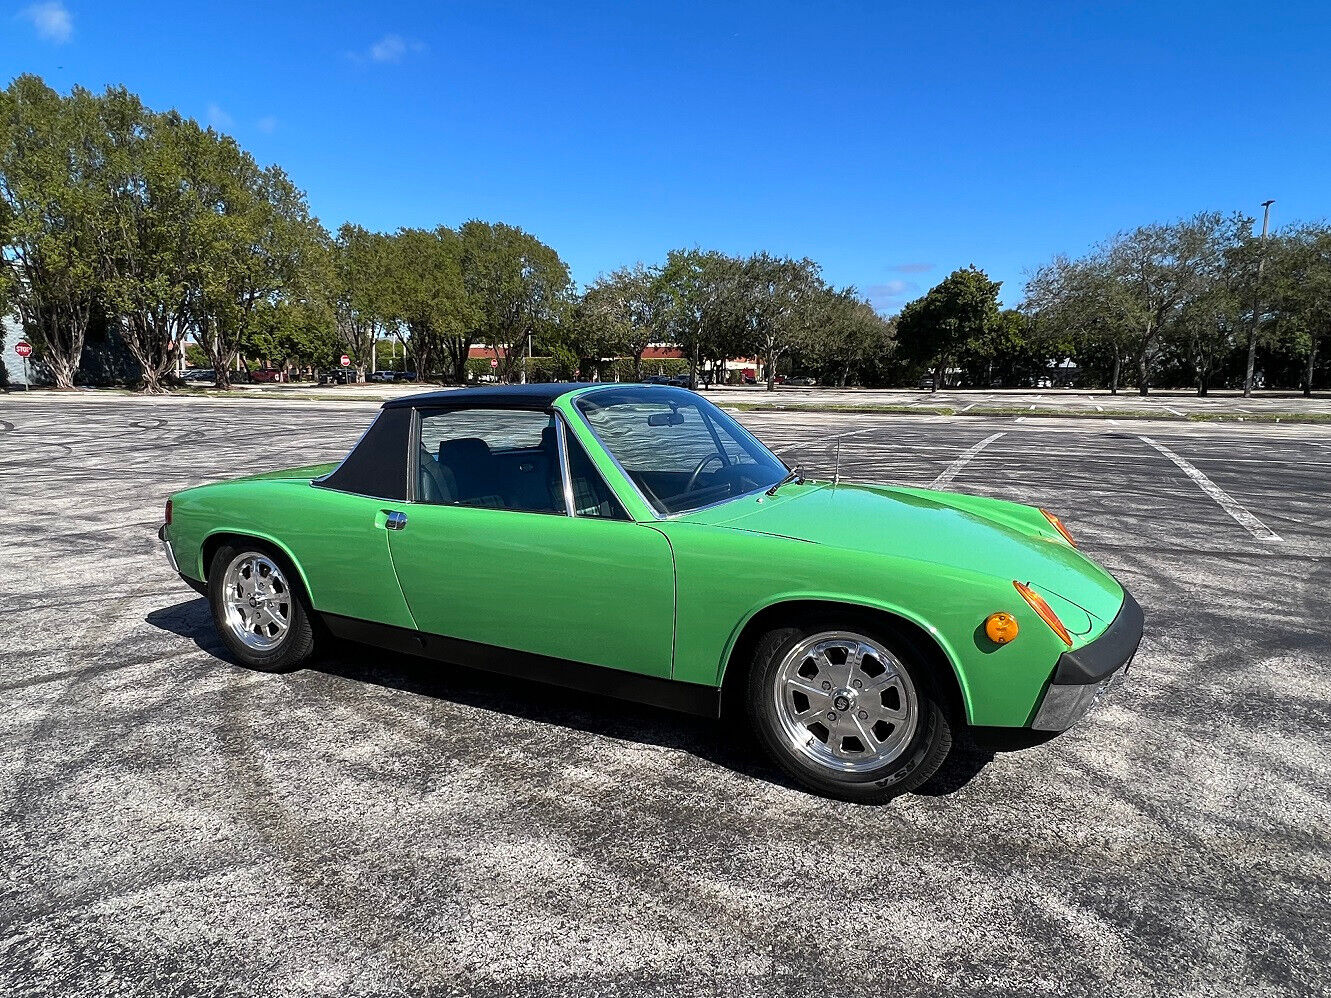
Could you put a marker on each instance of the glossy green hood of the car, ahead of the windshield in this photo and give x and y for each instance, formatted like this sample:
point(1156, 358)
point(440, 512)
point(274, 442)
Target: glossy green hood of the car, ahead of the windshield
point(974, 534)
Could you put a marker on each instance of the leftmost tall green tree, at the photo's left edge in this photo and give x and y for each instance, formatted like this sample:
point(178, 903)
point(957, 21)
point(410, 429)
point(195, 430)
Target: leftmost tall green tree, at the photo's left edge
point(49, 207)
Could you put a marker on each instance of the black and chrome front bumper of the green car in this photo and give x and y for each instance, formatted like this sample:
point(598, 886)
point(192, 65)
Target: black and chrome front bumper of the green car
point(1084, 677)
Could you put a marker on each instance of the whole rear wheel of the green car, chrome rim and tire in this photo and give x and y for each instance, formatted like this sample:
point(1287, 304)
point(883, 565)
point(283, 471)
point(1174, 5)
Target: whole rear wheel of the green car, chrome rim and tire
point(260, 613)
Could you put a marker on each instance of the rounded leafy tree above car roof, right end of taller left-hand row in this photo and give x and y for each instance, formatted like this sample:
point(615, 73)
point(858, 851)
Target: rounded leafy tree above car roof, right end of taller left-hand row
point(517, 288)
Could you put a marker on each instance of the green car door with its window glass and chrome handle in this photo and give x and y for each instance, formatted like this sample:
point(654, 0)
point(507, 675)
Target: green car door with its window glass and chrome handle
point(489, 553)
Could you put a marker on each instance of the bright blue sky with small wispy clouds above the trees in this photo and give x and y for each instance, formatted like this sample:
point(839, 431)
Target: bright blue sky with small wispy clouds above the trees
point(891, 143)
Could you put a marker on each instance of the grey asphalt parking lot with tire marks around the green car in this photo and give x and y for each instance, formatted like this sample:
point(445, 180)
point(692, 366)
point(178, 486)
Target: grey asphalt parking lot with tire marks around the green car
point(175, 824)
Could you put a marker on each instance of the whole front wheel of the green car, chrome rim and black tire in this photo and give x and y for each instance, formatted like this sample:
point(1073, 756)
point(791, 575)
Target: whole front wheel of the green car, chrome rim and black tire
point(847, 714)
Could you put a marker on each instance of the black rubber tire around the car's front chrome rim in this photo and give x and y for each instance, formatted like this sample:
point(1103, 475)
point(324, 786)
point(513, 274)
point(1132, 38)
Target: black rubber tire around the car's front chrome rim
point(919, 759)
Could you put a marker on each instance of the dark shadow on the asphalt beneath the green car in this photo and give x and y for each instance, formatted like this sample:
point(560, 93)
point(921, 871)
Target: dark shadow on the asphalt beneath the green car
point(722, 743)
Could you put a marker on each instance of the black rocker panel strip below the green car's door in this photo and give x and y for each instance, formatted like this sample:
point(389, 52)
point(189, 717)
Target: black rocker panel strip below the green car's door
point(687, 698)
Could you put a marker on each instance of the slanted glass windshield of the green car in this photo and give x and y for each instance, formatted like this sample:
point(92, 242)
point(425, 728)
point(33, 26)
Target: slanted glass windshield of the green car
point(681, 450)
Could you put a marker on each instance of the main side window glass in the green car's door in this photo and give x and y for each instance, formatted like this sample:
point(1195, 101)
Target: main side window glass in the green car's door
point(490, 458)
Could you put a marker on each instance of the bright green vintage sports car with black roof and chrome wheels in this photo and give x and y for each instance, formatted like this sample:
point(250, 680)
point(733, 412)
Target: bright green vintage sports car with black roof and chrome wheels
point(636, 541)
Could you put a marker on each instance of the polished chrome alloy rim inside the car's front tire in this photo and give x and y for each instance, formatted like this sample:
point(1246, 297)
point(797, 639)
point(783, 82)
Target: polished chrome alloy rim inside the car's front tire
point(846, 702)
